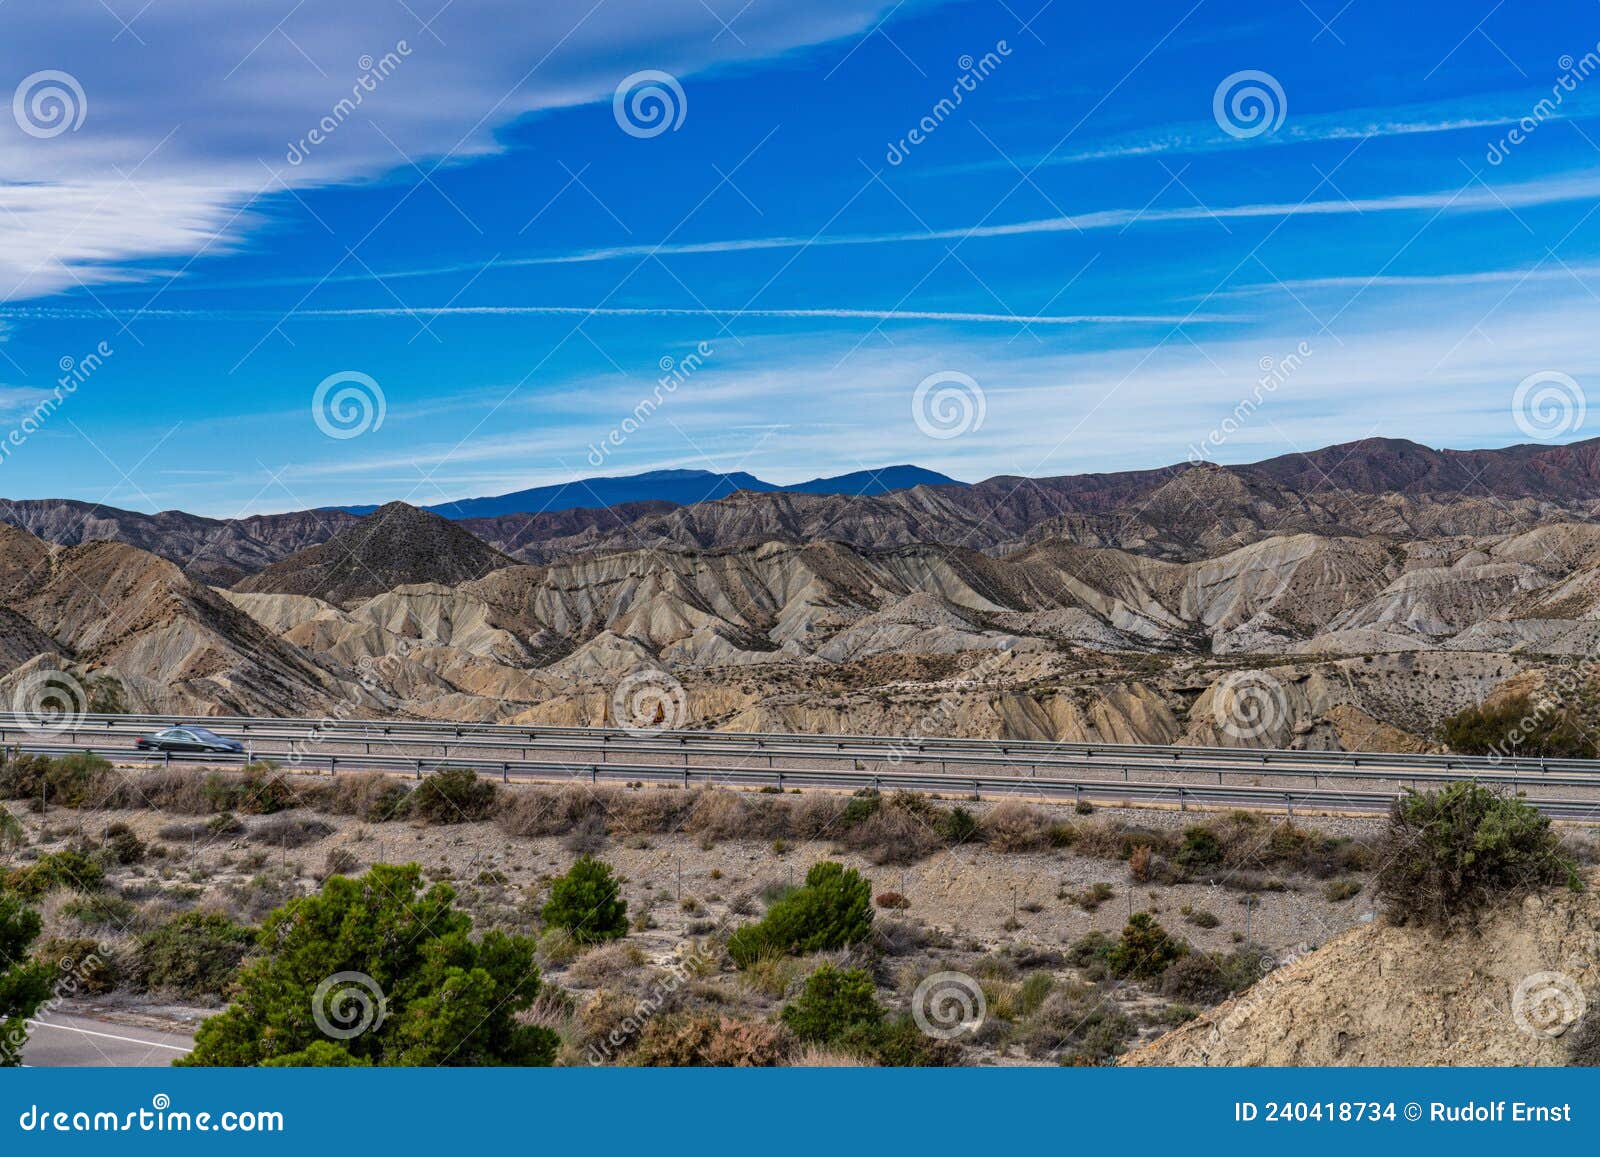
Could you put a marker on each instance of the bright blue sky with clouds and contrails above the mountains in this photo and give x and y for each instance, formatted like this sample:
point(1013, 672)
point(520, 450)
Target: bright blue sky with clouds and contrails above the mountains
point(266, 257)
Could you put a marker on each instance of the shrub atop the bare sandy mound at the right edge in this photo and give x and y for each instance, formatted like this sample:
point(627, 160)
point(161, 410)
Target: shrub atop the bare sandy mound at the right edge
point(1454, 854)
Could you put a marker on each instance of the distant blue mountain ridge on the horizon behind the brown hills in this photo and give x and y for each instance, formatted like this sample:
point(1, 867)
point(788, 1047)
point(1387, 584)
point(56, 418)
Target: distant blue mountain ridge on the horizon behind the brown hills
point(681, 487)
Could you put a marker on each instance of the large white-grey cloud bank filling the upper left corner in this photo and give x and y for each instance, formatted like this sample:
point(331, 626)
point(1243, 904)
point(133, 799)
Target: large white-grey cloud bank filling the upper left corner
point(194, 110)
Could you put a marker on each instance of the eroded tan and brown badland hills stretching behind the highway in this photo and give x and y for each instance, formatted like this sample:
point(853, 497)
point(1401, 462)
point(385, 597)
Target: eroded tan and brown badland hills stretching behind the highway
point(1375, 588)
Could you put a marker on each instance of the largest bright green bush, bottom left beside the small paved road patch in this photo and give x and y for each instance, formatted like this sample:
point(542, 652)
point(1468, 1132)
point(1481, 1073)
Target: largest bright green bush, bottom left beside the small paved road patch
point(380, 971)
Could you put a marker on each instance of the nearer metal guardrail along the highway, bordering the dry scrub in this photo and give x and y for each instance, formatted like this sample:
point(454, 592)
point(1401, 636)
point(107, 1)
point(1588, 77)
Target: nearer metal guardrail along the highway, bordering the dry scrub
point(1100, 791)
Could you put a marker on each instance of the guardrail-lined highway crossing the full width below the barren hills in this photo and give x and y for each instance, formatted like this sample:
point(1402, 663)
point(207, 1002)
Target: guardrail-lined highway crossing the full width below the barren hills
point(1105, 774)
